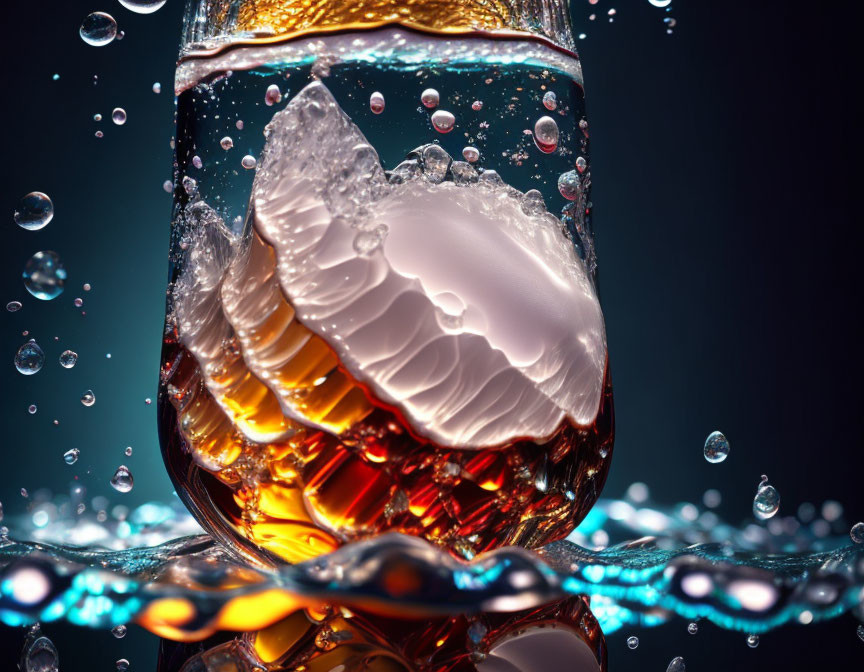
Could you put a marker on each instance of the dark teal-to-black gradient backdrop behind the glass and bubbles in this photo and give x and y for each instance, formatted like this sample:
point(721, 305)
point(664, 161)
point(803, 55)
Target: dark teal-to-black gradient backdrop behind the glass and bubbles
point(727, 211)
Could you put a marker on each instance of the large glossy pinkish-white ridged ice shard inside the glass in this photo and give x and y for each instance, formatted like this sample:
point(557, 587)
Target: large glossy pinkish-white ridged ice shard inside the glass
point(473, 317)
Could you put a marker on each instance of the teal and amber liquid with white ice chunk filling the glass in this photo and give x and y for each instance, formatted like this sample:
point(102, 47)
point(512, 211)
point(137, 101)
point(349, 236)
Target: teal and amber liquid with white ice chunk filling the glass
point(291, 420)
